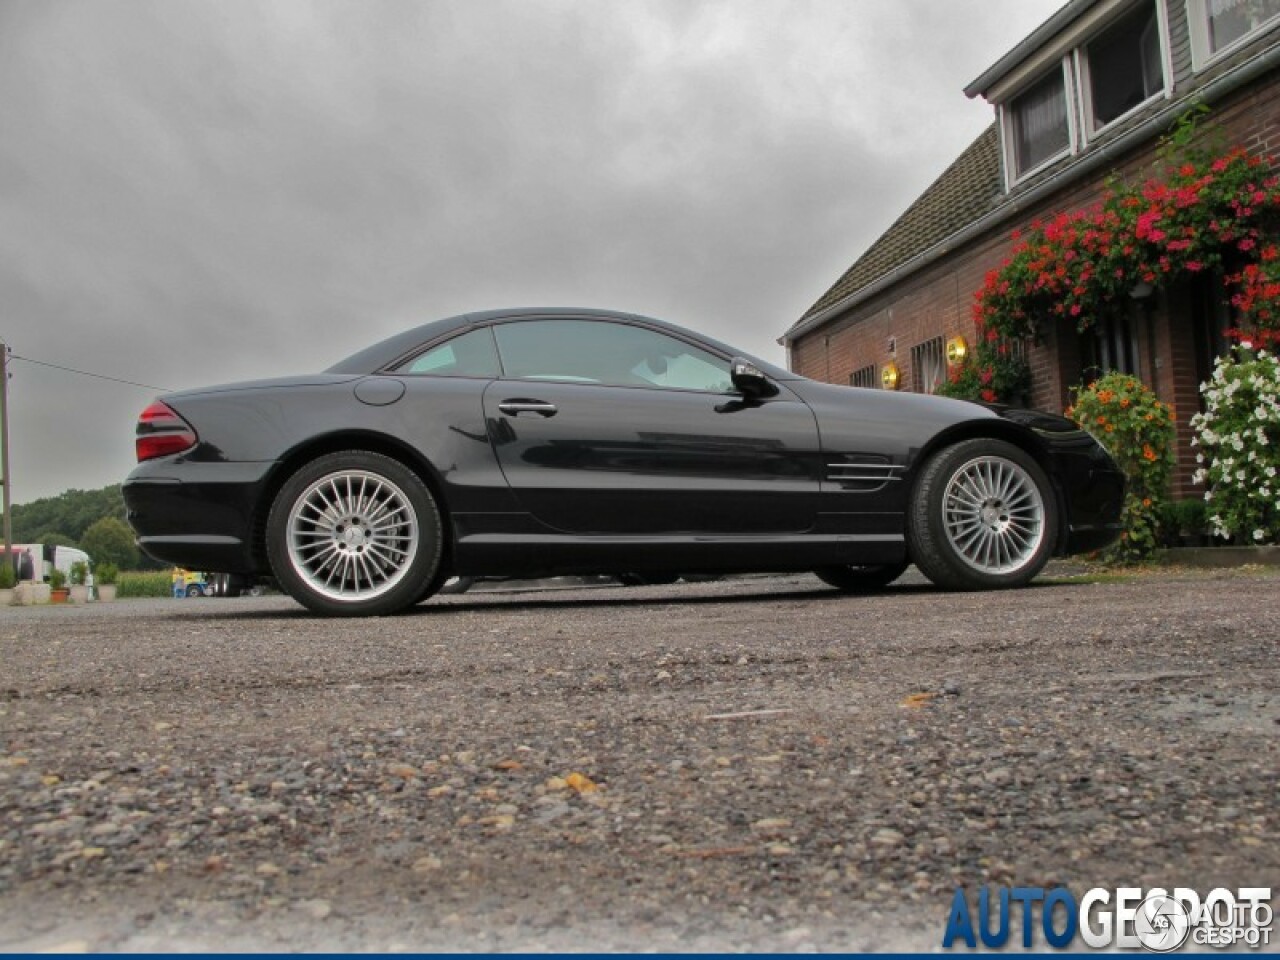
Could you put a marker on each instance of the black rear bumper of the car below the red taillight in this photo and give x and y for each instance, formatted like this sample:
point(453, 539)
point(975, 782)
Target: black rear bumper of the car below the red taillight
point(196, 515)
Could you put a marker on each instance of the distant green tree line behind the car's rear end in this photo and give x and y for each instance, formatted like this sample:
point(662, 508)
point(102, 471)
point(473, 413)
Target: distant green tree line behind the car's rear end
point(92, 520)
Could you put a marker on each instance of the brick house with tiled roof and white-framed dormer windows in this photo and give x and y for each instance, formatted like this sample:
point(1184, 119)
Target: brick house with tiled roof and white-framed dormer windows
point(1087, 95)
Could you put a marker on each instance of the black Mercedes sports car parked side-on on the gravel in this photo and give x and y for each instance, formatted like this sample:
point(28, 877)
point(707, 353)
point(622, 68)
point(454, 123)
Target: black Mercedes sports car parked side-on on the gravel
point(551, 442)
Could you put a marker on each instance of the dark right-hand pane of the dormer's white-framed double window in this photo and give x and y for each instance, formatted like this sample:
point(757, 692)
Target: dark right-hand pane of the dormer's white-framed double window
point(1124, 67)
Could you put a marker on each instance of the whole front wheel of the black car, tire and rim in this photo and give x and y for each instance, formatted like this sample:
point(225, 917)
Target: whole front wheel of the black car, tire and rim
point(982, 516)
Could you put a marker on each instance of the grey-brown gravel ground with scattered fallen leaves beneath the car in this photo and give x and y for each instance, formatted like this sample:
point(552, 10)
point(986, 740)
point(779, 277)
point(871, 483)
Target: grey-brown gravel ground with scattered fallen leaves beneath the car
point(747, 765)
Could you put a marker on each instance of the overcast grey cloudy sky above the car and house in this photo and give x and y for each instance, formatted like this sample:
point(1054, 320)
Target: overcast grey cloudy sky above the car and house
point(194, 193)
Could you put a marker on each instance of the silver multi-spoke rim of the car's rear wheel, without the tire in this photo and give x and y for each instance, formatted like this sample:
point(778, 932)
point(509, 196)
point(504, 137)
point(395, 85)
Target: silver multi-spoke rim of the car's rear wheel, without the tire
point(353, 536)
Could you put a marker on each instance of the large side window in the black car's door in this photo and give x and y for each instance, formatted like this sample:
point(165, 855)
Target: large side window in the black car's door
point(620, 355)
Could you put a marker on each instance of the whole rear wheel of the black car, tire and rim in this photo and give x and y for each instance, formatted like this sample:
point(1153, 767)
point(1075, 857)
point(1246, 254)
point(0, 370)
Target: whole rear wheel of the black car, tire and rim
point(373, 547)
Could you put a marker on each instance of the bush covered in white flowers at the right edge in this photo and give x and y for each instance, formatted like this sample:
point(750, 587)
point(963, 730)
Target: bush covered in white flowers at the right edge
point(1240, 441)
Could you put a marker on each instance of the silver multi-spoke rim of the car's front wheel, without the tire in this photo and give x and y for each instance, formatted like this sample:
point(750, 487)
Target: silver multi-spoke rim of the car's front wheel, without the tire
point(994, 515)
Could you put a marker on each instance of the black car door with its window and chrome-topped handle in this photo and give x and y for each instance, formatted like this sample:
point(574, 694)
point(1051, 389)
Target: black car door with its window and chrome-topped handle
point(615, 428)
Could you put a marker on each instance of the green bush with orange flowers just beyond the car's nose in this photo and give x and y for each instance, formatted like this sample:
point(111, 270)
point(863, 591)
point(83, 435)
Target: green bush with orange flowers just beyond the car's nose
point(1139, 432)
